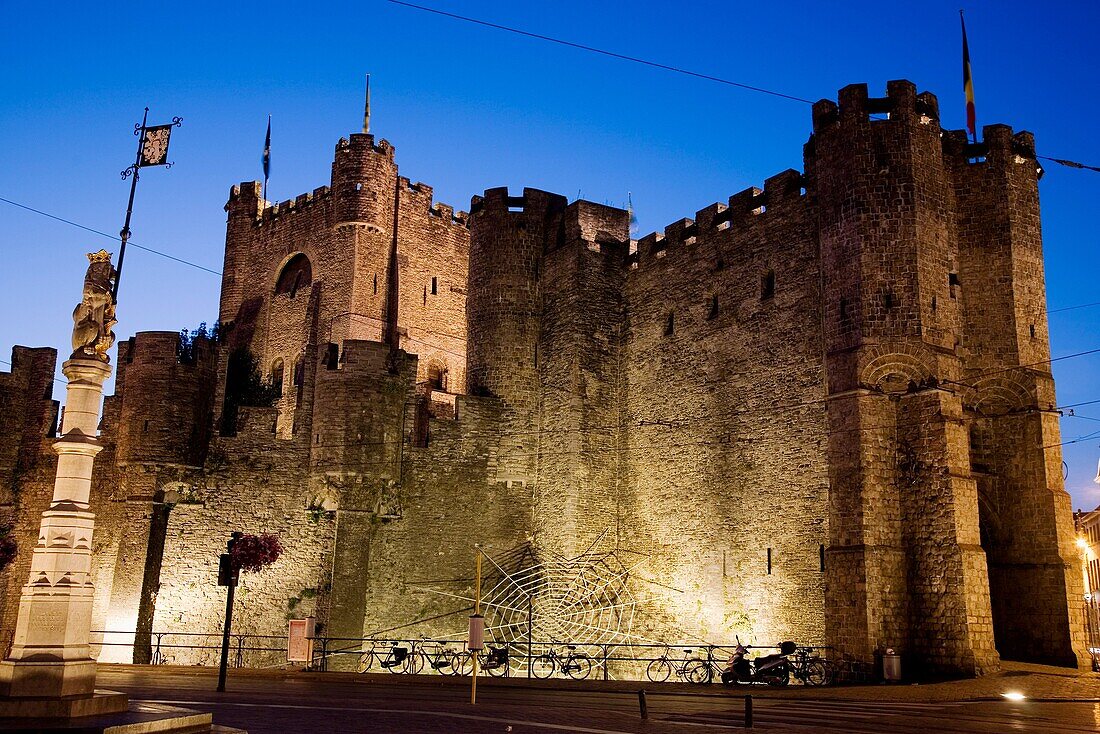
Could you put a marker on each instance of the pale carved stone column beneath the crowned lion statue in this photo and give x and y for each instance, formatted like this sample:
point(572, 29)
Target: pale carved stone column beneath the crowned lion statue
point(50, 655)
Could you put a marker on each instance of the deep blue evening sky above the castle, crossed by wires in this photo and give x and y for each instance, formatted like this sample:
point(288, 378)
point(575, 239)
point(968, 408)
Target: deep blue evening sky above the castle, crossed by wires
point(470, 108)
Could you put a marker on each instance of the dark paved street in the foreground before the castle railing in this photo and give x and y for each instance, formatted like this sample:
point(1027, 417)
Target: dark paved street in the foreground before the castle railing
point(311, 704)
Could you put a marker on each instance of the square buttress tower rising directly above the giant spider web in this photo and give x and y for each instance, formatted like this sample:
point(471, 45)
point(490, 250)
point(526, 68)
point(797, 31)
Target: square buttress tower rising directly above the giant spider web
point(581, 283)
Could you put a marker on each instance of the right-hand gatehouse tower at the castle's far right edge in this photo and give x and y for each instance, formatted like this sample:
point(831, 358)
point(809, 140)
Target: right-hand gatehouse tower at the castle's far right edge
point(1025, 511)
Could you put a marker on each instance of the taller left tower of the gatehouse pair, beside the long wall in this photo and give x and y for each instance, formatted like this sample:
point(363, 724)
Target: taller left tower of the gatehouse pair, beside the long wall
point(905, 567)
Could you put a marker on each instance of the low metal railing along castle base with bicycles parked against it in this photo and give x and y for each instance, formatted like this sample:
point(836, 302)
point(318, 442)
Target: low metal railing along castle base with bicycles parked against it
point(608, 662)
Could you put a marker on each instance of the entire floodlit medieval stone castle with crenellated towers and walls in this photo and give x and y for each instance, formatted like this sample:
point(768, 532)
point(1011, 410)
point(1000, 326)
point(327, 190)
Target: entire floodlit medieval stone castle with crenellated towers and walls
point(822, 412)
